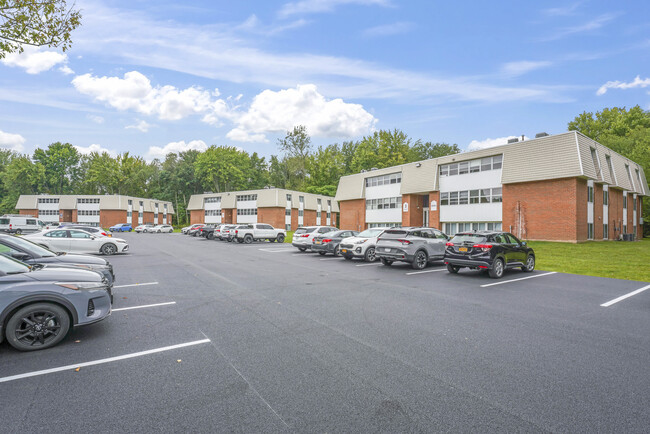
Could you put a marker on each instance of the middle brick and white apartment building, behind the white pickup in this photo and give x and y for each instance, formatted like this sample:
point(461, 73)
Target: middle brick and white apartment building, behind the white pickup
point(278, 207)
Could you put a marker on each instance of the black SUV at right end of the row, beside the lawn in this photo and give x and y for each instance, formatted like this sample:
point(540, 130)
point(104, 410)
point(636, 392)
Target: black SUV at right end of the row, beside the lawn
point(488, 250)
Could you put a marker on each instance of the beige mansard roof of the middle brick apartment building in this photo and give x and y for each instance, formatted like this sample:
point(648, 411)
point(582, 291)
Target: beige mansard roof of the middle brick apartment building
point(266, 197)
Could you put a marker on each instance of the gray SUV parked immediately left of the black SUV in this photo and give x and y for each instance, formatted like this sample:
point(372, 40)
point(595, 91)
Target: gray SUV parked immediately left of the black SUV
point(417, 246)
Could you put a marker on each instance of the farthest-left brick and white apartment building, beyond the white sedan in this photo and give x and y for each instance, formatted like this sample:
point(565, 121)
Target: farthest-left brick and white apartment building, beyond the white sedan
point(96, 210)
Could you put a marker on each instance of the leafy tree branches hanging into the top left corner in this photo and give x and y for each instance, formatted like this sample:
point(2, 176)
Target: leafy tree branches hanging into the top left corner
point(36, 23)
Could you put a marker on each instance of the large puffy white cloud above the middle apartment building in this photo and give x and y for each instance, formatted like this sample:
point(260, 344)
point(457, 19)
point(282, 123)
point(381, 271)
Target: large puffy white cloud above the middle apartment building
point(273, 112)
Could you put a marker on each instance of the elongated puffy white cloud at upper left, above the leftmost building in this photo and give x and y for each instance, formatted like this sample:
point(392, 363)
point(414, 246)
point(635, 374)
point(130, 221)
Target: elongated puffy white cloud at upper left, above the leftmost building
point(135, 92)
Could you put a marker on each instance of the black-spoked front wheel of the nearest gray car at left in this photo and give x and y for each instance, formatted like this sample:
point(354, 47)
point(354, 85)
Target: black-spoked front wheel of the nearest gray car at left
point(37, 326)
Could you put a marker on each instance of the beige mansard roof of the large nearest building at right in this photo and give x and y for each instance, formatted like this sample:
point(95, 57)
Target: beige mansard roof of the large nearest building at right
point(551, 157)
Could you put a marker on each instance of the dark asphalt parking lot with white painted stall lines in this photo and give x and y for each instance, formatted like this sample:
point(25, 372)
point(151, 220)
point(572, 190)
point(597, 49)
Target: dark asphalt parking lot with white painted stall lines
point(209, 336)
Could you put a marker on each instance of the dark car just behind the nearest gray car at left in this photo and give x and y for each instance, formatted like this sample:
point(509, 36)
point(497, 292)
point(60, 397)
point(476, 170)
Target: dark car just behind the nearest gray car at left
point(30, 253)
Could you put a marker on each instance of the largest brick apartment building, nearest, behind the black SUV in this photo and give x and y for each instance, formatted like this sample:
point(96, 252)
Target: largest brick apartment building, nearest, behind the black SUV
point(565, 187)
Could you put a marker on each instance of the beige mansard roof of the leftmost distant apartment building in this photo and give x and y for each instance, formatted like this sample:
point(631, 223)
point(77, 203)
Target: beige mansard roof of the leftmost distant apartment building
point(106, 202)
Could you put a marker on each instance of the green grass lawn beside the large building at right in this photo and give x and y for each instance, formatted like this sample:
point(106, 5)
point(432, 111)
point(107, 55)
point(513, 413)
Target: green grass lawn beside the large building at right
point(616, 259)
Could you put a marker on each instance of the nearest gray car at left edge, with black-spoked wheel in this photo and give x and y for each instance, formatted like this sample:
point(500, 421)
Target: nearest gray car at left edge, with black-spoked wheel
point(38, 305)
